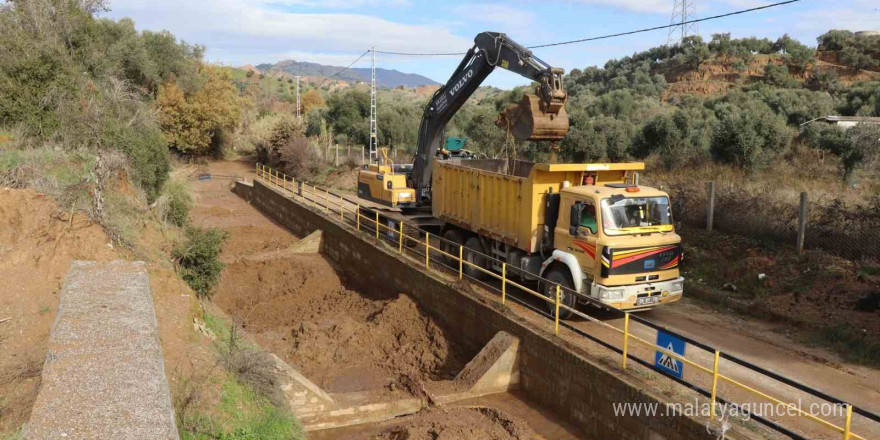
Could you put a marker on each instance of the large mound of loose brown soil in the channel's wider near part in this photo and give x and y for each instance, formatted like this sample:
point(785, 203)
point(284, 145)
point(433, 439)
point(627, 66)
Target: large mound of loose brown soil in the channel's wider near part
point(297, 307)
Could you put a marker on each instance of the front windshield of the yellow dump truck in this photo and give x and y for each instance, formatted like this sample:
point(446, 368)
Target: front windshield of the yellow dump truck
point(628, 215)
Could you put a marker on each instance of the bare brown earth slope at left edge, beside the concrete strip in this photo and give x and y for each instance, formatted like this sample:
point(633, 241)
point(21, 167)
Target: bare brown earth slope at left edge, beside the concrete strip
point(38, 241)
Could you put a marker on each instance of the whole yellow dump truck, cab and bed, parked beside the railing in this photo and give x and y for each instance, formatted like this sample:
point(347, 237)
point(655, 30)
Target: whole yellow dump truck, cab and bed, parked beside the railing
point(588, 227)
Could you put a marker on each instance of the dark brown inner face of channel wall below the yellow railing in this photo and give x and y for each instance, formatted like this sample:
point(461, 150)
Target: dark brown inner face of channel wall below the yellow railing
point(553, 372)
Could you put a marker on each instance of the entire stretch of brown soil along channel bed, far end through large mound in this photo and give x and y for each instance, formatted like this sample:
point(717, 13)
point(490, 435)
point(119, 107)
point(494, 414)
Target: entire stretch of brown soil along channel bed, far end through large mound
point(297, 307)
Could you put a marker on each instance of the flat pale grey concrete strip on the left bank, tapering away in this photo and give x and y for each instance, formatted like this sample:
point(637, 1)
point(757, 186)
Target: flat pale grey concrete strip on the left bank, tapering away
point(104, 376)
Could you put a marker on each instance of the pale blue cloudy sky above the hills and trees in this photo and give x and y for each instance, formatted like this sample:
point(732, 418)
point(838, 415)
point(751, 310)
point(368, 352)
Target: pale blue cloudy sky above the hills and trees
point(335, 32)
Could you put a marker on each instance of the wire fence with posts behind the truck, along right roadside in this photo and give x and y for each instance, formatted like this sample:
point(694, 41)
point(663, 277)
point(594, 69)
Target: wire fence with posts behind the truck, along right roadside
point(849, 231)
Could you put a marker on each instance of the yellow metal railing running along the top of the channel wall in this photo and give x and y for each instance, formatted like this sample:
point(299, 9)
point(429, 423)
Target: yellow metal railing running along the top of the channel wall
point(726, 381)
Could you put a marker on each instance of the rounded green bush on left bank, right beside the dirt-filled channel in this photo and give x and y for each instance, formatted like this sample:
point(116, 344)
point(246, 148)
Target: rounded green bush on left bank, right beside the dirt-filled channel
point(198, 258)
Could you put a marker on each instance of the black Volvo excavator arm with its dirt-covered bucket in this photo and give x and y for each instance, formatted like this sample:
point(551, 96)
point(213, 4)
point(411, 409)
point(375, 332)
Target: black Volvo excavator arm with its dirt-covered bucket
point(540, 116)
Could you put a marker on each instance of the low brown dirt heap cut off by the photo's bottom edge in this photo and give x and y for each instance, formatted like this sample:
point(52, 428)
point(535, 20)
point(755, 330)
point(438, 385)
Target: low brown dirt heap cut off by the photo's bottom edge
point(459, 424)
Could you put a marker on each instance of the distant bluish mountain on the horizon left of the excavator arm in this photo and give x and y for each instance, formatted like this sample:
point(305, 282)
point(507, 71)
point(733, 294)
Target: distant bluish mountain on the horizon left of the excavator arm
point(384, 77)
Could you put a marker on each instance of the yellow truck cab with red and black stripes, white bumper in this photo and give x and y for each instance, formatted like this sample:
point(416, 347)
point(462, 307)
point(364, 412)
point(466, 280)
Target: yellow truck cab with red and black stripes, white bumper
point(624, 242)
